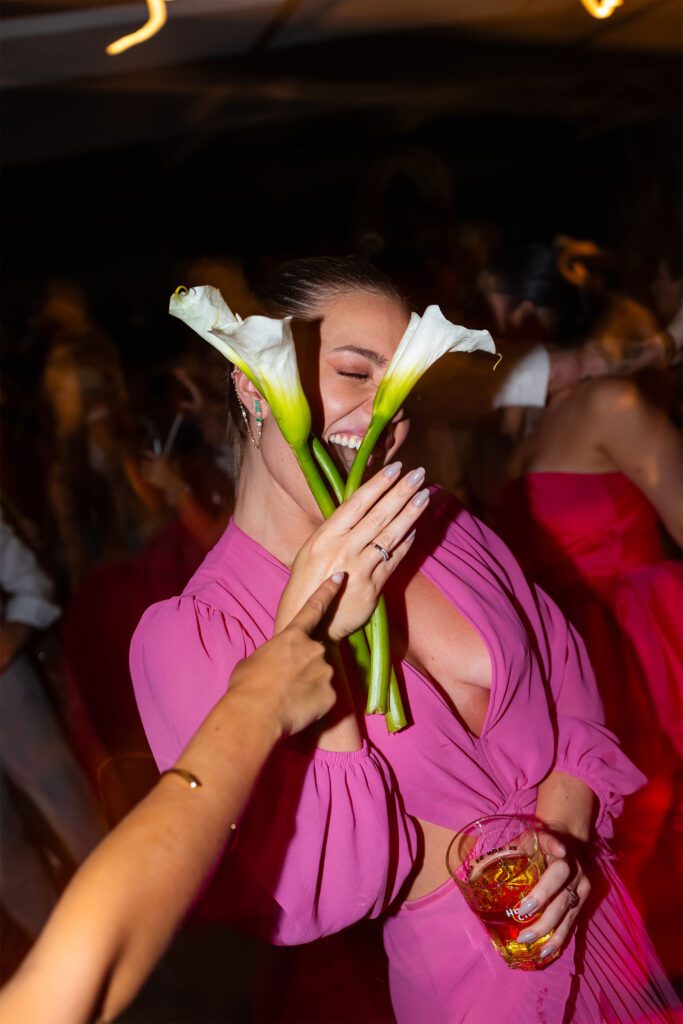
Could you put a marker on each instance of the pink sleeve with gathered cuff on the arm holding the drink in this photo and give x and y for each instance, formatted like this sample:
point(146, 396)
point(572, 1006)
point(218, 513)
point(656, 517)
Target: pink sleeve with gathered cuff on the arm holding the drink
point(585, 747)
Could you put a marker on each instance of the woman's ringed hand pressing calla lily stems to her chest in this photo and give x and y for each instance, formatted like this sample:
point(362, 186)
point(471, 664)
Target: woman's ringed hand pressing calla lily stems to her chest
point(382, 513)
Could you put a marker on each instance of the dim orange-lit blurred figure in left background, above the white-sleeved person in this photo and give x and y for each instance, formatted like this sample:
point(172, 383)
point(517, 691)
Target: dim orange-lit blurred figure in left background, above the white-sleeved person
point(101, 505)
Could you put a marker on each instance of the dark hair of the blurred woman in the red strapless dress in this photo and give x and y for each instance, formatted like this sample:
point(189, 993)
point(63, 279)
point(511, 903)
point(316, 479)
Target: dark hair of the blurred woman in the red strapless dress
point(532, 274)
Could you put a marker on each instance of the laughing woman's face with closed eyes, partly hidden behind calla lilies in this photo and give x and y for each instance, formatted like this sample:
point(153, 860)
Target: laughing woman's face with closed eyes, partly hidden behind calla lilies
point(357, 335)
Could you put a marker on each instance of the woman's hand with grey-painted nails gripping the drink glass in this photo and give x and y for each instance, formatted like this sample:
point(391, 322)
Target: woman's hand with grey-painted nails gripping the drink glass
point(560, 898)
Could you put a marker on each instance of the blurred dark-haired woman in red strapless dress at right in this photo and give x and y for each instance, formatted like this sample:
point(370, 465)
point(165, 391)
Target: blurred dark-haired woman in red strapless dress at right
point(593, 479)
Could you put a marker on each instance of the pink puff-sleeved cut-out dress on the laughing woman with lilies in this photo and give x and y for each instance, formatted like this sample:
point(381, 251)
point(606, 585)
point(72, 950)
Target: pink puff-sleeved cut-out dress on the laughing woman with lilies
point(329, 840)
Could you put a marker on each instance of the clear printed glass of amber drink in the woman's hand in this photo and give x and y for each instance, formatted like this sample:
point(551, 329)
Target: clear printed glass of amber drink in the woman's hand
point(496, 862)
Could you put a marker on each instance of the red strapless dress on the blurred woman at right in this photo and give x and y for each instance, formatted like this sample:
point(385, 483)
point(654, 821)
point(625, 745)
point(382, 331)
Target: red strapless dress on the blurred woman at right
point(592, 542)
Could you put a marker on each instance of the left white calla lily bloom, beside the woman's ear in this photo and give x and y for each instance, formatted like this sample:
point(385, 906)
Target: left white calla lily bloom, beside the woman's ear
point(262, 348)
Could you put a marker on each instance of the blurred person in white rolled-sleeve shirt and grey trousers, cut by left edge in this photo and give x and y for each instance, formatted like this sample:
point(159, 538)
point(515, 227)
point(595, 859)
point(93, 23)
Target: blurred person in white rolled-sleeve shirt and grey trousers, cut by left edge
point(37, 764)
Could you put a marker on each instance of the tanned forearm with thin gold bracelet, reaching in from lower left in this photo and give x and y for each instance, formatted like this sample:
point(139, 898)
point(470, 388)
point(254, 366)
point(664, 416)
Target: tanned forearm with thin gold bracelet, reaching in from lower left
point(142, 879)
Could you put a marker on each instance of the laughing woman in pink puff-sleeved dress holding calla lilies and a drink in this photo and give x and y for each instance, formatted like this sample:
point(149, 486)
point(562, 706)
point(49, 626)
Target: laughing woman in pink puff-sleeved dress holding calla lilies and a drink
point(505, 716)
